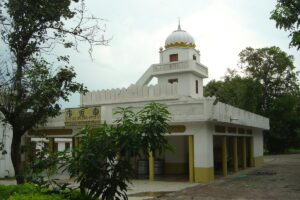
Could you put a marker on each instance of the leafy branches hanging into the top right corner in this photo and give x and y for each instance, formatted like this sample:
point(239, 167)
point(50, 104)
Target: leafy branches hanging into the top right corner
point(287, 17)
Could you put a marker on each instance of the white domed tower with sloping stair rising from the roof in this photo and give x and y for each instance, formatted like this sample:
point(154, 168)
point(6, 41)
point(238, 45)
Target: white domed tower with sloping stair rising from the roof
point(179, 63)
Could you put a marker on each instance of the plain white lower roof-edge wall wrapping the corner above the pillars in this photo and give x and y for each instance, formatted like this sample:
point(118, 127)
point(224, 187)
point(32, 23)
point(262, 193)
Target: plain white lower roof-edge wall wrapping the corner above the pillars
point(186, 110)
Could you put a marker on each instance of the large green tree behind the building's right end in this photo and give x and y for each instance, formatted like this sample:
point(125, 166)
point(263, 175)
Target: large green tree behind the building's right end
point(270, 88)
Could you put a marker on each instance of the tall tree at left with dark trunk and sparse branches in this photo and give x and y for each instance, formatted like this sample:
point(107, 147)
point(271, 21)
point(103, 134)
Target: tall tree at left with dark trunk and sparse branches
point(30, 84)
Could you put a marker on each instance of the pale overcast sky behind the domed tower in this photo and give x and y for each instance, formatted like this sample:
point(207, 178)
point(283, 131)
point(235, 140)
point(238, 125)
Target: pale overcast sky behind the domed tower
point(138, 28)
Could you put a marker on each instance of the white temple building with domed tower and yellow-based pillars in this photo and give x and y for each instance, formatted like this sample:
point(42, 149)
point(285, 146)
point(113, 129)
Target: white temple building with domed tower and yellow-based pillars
point(210, 138)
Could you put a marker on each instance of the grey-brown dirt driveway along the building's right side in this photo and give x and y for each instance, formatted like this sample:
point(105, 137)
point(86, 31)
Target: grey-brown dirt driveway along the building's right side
point(278, 178)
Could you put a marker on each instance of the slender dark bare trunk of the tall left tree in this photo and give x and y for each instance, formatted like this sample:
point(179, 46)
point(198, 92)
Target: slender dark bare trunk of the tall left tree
point(16, 156)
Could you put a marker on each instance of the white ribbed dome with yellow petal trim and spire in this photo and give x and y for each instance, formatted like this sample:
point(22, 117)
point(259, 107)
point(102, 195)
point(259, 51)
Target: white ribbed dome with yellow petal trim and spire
point(180, 38)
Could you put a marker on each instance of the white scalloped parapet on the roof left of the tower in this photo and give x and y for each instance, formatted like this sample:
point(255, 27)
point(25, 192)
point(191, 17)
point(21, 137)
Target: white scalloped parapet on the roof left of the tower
point(131, 94)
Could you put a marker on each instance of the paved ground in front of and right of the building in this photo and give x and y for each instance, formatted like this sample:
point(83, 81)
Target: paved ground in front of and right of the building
point(278, 178)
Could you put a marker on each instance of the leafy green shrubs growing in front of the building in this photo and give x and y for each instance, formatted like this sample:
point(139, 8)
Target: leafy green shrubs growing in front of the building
point(102, 163)
